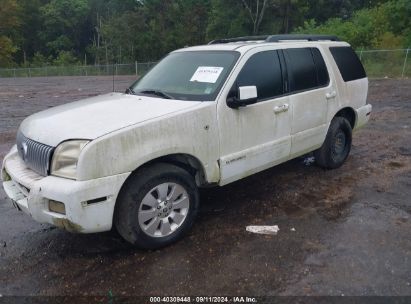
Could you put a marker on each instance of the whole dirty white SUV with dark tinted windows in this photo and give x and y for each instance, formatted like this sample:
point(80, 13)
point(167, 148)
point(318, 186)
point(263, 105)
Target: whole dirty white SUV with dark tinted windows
point(204, 115)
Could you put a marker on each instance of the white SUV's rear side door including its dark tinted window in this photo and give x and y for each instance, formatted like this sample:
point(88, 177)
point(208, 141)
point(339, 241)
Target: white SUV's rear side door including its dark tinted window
point(310, 91)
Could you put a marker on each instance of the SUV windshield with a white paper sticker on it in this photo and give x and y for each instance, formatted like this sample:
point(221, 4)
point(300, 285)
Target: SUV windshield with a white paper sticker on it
point(196, 75)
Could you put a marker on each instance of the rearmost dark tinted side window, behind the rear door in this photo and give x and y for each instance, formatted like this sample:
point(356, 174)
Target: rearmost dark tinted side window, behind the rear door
point(348, 63)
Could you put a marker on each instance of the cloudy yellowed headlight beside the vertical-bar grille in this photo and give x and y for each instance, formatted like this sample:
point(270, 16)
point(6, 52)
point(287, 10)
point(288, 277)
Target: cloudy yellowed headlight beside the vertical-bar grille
point(65, 157)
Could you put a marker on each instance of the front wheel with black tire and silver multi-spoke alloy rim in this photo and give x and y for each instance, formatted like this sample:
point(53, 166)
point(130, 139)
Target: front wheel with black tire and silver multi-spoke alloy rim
point(156, 206)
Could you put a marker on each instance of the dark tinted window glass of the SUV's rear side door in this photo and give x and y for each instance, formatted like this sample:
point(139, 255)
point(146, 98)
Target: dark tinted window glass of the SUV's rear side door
point(301, 69)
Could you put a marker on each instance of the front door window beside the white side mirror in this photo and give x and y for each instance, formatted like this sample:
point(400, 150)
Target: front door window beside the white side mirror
point(263, 70)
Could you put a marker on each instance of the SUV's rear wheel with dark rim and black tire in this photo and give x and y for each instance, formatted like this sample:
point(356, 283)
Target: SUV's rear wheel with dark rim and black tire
point(337, 144)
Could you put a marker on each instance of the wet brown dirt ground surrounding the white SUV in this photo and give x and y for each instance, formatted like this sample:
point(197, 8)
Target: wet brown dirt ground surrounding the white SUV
point(342, 232)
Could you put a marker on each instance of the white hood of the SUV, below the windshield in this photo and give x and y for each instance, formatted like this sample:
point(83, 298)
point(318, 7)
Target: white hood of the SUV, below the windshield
point(94, 117)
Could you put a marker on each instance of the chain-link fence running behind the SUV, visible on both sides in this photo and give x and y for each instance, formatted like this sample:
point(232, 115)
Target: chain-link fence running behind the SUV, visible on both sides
point(377, 63)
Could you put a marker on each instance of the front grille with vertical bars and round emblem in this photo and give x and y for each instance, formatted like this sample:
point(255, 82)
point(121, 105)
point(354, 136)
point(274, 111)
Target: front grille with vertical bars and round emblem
point(35, 155)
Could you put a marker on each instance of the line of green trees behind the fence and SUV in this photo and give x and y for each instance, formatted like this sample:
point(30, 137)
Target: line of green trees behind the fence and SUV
point(71, 32)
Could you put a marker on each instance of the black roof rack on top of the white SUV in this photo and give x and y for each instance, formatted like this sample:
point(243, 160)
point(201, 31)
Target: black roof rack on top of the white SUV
point(277, 38)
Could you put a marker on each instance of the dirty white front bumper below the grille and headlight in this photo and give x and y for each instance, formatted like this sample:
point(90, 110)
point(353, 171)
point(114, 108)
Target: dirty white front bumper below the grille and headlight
point(89, 205)
